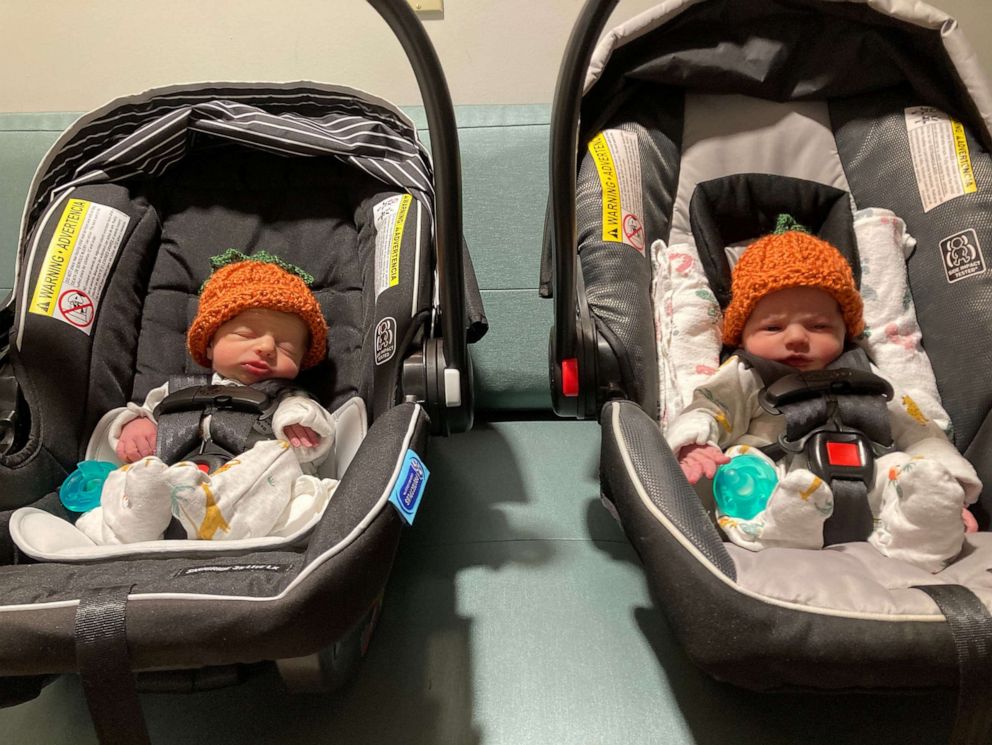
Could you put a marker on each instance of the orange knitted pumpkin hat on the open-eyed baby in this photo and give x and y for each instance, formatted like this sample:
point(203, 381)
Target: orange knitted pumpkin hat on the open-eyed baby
point(790, 257)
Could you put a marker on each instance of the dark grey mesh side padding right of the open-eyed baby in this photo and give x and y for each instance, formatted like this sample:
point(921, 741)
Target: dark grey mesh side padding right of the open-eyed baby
point(954, 314)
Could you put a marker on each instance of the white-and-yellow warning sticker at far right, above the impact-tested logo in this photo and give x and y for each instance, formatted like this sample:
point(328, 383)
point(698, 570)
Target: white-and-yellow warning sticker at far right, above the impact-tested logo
point(941, 160)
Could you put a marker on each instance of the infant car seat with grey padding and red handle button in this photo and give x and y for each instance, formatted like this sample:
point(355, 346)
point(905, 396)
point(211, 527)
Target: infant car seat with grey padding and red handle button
point(700, 121)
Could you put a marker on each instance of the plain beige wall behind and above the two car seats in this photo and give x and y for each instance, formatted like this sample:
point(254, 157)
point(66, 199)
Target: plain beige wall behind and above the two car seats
point(62, 56)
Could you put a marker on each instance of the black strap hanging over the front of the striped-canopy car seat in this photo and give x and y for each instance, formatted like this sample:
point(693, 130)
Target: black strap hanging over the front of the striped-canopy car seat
point(105, 668)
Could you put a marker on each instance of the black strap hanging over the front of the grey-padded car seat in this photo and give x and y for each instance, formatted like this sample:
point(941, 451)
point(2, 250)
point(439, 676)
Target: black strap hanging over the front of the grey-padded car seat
point(971, 629)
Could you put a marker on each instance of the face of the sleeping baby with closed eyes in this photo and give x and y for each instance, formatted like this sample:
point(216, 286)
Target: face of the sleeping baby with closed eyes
point(259, 344)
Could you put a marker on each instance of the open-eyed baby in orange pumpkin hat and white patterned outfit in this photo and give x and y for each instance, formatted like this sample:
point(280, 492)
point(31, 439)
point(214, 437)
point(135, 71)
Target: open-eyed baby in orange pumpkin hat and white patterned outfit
point(794, 301)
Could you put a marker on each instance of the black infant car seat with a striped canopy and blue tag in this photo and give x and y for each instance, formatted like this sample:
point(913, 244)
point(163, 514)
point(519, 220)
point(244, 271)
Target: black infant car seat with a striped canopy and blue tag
point(122, 218)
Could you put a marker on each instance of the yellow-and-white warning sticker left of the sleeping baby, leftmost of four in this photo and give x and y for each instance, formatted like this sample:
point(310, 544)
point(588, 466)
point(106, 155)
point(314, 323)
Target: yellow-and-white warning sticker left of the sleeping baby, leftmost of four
point(77, 262)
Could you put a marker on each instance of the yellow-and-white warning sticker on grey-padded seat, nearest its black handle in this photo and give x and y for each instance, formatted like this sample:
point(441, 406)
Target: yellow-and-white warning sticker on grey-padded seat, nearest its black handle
point(618, 163)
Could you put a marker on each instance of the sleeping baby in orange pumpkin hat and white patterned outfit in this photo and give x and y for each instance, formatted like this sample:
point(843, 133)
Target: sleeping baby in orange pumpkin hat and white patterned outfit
point(257, 325)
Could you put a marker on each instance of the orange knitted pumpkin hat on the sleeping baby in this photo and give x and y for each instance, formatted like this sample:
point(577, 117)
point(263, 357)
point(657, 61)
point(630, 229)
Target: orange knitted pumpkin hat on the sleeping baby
point(240, 283)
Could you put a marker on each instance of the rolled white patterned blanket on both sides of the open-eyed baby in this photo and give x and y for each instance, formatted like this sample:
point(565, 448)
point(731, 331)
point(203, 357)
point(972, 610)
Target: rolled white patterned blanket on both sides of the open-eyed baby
point(688, 321)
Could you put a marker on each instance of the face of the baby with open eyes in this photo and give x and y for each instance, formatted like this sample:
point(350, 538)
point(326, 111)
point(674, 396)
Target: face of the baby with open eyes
point(799, 326)
